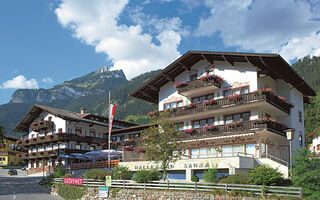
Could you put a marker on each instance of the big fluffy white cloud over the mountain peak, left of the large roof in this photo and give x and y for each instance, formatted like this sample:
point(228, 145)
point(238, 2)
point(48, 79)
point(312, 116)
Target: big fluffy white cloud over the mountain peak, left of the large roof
point(130, 48)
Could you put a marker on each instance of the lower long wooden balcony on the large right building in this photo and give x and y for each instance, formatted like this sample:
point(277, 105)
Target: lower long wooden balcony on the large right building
point(234, 128)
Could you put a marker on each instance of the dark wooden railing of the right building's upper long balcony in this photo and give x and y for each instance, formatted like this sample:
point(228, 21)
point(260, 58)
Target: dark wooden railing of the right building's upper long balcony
point(232, 101)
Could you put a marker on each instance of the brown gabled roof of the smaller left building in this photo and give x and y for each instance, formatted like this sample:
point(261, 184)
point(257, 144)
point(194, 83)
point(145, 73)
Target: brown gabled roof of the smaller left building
point(36, 110)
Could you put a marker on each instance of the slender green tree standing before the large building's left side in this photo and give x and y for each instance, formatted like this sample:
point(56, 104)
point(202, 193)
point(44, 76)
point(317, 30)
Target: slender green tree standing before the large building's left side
point(161, 141)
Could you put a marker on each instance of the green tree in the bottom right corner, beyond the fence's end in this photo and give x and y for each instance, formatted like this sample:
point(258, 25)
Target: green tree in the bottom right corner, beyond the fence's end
point(306, 172)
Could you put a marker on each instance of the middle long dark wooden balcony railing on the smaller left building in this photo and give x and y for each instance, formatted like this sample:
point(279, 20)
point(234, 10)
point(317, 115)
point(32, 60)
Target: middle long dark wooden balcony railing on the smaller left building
point(58, 137)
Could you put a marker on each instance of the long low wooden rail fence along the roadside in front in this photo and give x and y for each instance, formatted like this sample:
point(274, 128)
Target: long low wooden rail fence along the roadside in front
point(207, 187)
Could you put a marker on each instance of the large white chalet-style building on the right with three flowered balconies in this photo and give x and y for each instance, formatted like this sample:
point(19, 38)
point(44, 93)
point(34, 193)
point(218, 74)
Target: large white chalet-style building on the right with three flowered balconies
point(233, 110)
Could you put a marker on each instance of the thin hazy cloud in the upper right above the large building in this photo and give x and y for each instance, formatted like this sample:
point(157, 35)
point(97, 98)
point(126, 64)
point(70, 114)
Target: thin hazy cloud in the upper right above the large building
point(264, 26)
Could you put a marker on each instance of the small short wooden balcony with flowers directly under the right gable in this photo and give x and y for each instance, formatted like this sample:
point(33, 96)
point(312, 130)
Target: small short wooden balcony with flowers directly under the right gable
point(199, 86)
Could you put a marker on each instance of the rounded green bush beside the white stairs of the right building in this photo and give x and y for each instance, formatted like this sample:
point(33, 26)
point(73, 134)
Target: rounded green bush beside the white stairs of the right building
point(265, 175)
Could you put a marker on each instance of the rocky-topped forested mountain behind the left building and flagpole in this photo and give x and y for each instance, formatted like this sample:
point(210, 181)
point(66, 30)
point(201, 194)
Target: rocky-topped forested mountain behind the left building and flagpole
point(89, 91)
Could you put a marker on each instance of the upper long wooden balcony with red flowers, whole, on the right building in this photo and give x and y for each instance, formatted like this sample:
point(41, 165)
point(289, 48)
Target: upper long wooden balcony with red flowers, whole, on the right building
point(246, 102)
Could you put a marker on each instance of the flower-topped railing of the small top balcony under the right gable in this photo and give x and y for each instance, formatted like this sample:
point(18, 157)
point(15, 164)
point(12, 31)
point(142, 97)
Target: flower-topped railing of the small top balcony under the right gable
point(191, 85)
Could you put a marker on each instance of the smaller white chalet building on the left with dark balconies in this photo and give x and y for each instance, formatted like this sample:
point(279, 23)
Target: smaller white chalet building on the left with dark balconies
point(51, 135)
